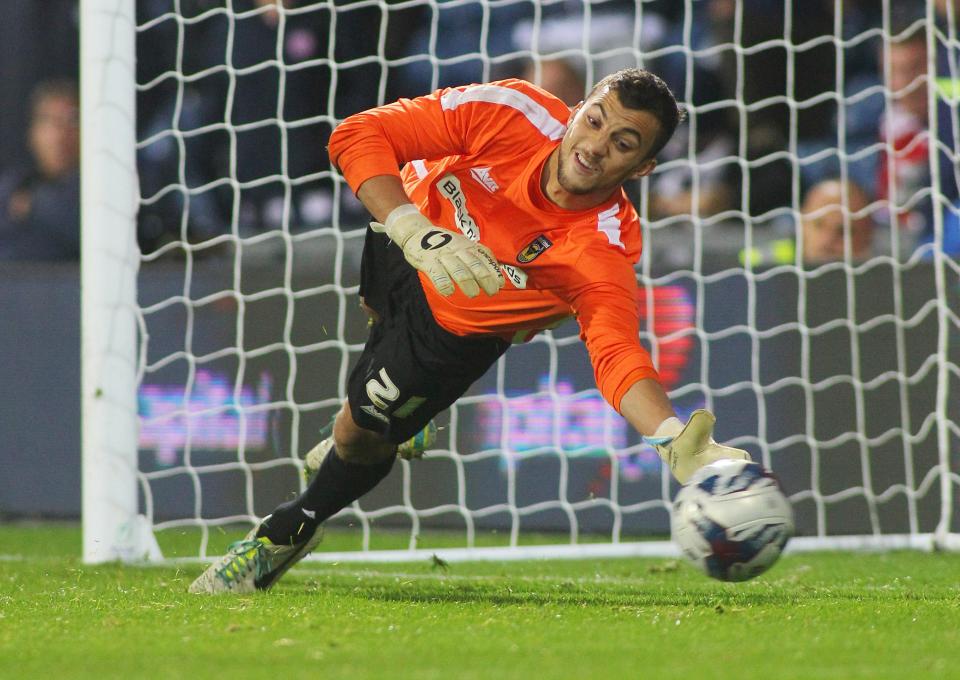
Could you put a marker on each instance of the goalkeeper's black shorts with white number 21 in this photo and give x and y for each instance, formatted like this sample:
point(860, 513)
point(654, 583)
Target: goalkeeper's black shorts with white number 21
point(410, 369)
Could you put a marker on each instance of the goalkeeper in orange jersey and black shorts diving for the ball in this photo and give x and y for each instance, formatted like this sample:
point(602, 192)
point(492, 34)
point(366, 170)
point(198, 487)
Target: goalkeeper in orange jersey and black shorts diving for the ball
point(508, 217)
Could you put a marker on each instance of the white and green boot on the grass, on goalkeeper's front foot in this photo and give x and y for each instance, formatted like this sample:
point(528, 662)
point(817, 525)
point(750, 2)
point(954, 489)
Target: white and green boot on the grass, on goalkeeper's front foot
point(252, 564)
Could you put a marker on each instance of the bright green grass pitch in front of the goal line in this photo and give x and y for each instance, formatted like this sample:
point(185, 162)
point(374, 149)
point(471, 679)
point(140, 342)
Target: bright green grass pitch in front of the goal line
point(894, 615)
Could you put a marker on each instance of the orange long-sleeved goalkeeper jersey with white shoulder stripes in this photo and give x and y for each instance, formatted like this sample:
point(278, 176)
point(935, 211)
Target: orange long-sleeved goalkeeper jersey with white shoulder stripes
point(474, 157)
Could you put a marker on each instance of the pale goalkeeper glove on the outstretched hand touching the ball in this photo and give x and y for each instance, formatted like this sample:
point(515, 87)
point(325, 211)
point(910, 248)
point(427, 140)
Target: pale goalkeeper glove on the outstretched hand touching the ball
point(687, 448)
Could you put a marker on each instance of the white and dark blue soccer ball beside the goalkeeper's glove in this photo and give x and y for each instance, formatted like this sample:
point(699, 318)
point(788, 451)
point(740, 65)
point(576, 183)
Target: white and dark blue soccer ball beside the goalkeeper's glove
point(731, 520)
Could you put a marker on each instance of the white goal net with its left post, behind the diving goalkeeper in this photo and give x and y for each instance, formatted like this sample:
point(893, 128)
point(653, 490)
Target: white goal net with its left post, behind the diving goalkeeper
point(221, 266)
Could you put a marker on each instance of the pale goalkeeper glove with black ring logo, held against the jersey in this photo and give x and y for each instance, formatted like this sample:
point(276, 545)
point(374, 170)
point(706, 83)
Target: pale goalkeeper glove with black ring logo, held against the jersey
point(445, 256)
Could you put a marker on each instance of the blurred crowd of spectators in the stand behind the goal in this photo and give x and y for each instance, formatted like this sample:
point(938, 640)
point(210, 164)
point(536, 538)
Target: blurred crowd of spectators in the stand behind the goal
point(824, 148)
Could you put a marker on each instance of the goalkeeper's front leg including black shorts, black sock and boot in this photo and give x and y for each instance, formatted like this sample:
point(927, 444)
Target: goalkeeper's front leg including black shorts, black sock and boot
point(410, 370)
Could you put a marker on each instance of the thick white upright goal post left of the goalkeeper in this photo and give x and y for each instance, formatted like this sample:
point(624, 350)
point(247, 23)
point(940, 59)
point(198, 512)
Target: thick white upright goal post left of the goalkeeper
point(109, 262)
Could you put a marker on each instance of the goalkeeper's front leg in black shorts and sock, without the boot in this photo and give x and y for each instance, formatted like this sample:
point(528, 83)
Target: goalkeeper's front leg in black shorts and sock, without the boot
point(410, 370)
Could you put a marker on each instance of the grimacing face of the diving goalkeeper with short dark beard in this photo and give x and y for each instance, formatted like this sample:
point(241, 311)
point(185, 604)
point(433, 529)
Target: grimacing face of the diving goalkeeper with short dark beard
point(605, 145)
